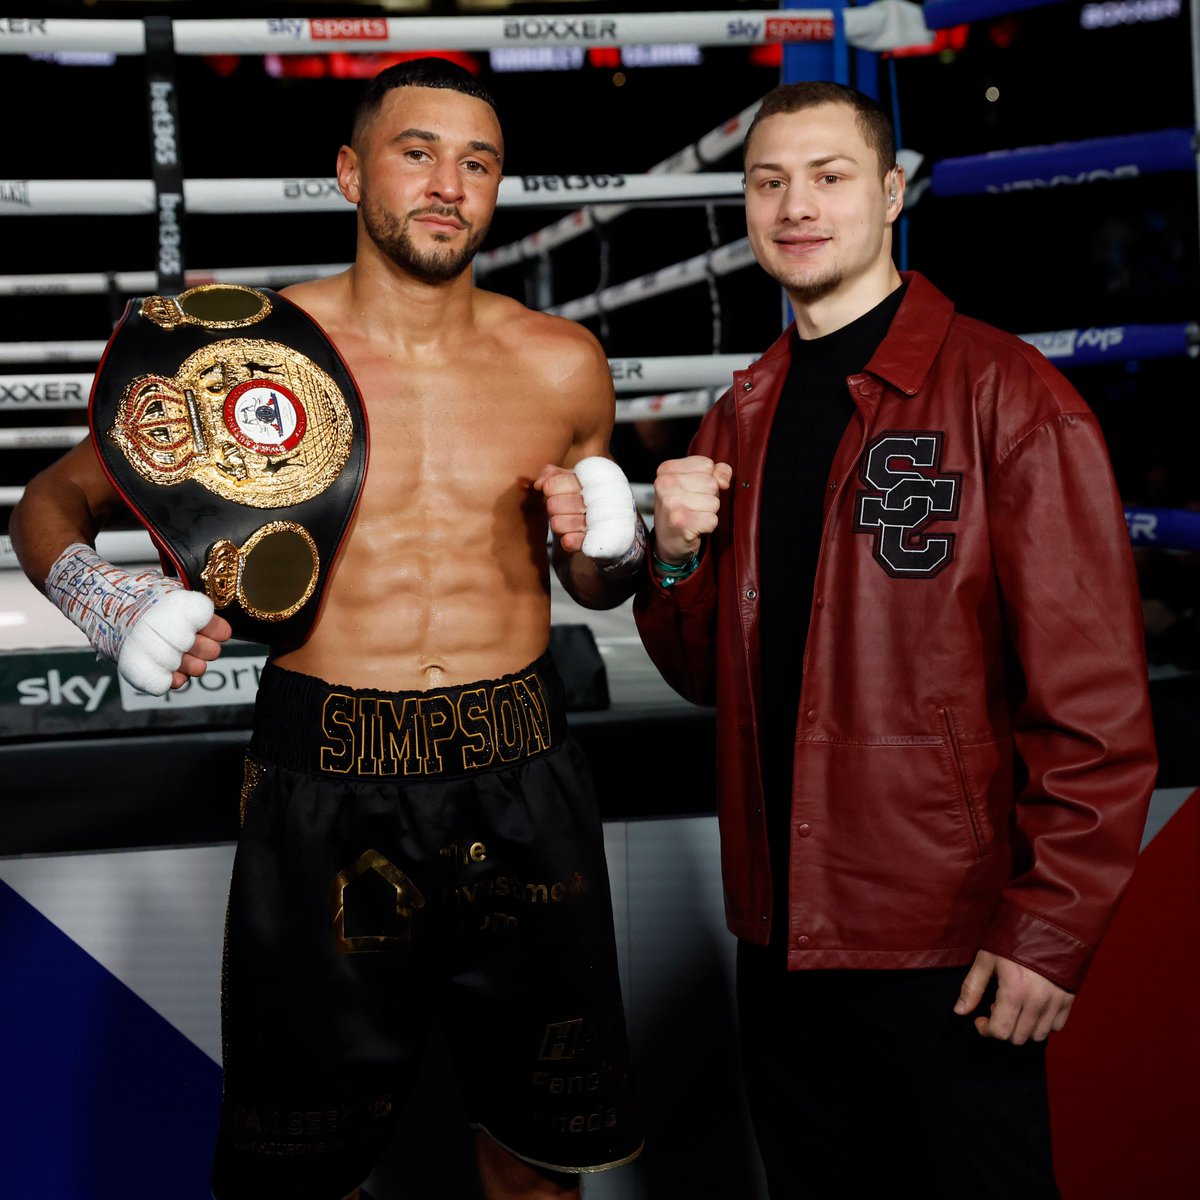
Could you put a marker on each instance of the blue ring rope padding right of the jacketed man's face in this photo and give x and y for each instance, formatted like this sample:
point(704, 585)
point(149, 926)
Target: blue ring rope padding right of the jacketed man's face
point(1065, 164)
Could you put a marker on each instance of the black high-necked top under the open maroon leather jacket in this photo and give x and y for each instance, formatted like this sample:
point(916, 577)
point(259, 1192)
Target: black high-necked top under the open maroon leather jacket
point(813, 415)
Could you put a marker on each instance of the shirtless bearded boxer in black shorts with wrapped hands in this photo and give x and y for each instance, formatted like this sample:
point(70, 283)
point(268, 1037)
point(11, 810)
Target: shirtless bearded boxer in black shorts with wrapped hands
point(421, 833)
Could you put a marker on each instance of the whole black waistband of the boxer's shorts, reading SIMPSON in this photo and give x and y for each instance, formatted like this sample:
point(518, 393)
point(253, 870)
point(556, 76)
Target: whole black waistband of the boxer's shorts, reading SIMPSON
point(308, 724)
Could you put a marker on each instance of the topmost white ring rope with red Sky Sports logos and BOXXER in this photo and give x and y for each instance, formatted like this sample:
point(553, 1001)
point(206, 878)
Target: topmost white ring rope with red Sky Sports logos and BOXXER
point(886, 25)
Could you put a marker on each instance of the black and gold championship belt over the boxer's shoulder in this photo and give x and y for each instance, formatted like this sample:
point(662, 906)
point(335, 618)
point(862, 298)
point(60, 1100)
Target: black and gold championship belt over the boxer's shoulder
point(236, 433)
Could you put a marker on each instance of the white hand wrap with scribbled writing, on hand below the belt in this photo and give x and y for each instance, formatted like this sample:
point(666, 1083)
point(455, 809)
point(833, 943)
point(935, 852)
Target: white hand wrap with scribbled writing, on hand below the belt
point(145, 623)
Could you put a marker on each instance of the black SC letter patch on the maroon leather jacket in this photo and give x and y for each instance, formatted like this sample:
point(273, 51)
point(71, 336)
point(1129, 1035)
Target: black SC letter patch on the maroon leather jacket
point(908, 491)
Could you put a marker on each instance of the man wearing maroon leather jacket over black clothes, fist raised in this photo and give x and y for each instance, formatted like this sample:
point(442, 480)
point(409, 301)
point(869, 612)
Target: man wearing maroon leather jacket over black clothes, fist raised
point(974, 754)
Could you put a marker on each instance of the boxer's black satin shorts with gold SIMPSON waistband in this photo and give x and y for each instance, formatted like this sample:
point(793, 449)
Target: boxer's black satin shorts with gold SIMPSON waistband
point(404, 857)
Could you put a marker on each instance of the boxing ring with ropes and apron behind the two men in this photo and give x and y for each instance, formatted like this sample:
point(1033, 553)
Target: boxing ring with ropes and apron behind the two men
point(112, 893)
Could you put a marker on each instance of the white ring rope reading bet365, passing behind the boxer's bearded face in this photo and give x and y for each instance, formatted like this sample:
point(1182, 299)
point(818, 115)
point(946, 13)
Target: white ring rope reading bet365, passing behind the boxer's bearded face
point(122, 197)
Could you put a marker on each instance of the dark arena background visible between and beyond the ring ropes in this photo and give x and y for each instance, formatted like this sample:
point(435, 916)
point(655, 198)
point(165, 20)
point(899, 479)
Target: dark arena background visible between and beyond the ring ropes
point(1120, 253)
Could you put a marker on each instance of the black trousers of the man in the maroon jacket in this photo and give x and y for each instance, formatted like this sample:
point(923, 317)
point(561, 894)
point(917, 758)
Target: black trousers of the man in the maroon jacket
point(867, 1084)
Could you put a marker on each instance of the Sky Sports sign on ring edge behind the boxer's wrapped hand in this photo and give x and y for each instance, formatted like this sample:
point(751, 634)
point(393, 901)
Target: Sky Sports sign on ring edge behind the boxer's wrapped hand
point(68, 693)
